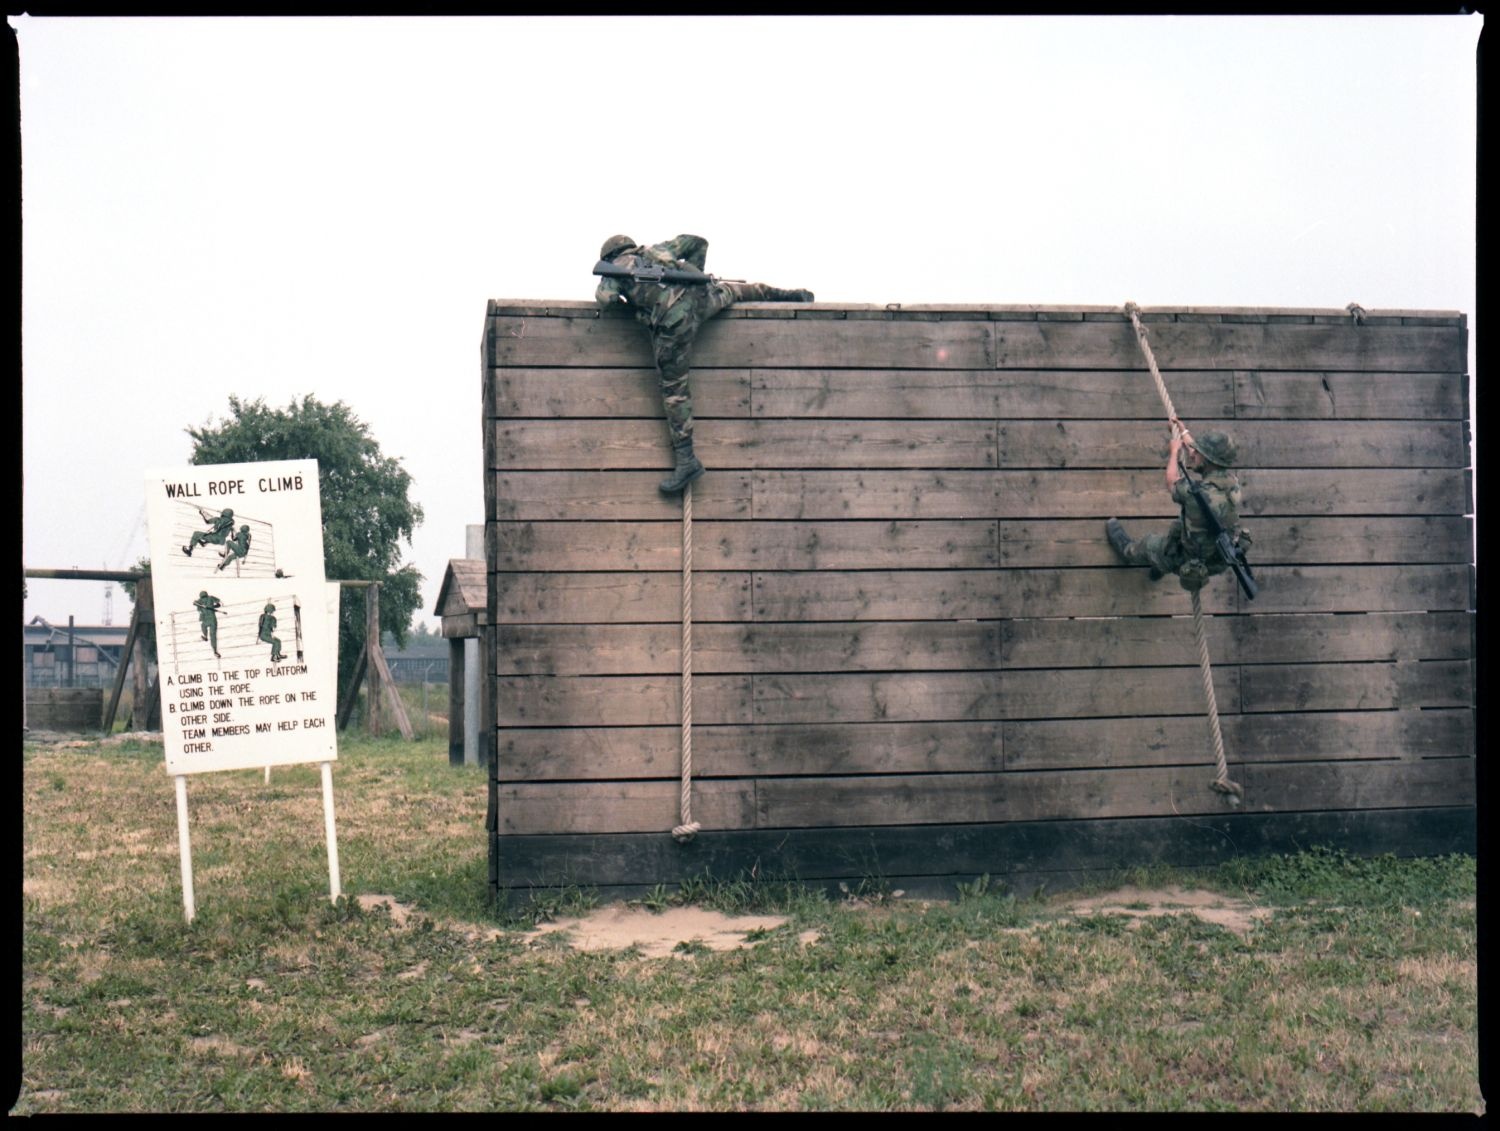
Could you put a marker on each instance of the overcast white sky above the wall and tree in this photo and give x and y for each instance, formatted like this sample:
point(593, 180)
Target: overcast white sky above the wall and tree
point(275, 208)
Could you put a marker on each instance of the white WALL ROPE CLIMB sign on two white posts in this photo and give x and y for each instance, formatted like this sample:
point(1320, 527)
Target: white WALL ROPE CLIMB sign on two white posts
point(247, 628)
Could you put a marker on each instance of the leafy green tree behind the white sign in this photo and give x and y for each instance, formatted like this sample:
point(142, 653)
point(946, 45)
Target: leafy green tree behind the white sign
point(367, 505)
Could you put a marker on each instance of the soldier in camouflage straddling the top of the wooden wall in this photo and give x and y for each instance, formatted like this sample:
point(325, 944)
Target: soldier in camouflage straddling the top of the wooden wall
point(668, 293)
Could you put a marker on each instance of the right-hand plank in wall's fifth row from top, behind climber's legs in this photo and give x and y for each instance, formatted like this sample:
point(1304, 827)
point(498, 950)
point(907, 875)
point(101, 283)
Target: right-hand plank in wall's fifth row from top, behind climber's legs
point(1277, 541)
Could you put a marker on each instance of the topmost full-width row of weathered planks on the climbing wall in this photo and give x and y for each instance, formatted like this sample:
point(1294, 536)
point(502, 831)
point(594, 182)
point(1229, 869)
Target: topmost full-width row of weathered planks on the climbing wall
point(779, 343)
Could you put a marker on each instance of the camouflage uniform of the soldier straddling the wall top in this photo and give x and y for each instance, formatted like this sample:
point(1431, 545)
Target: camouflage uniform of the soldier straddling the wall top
point(674, 313)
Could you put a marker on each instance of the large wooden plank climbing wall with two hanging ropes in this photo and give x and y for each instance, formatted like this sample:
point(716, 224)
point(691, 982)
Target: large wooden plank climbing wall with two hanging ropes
point(916, 658)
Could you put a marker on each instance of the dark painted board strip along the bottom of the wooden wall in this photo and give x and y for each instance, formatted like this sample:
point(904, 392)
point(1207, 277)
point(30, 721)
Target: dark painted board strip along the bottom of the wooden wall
point(931, 860)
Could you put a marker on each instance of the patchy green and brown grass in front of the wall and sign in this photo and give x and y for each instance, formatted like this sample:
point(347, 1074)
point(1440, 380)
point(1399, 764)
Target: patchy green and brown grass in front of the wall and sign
point(1354, 991)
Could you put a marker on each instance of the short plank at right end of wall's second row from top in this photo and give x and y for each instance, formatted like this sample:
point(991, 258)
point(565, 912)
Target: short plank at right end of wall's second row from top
point(1351, 397)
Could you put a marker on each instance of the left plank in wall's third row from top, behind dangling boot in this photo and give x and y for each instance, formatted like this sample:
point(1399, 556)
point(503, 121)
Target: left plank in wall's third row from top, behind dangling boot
point(631, 445)
